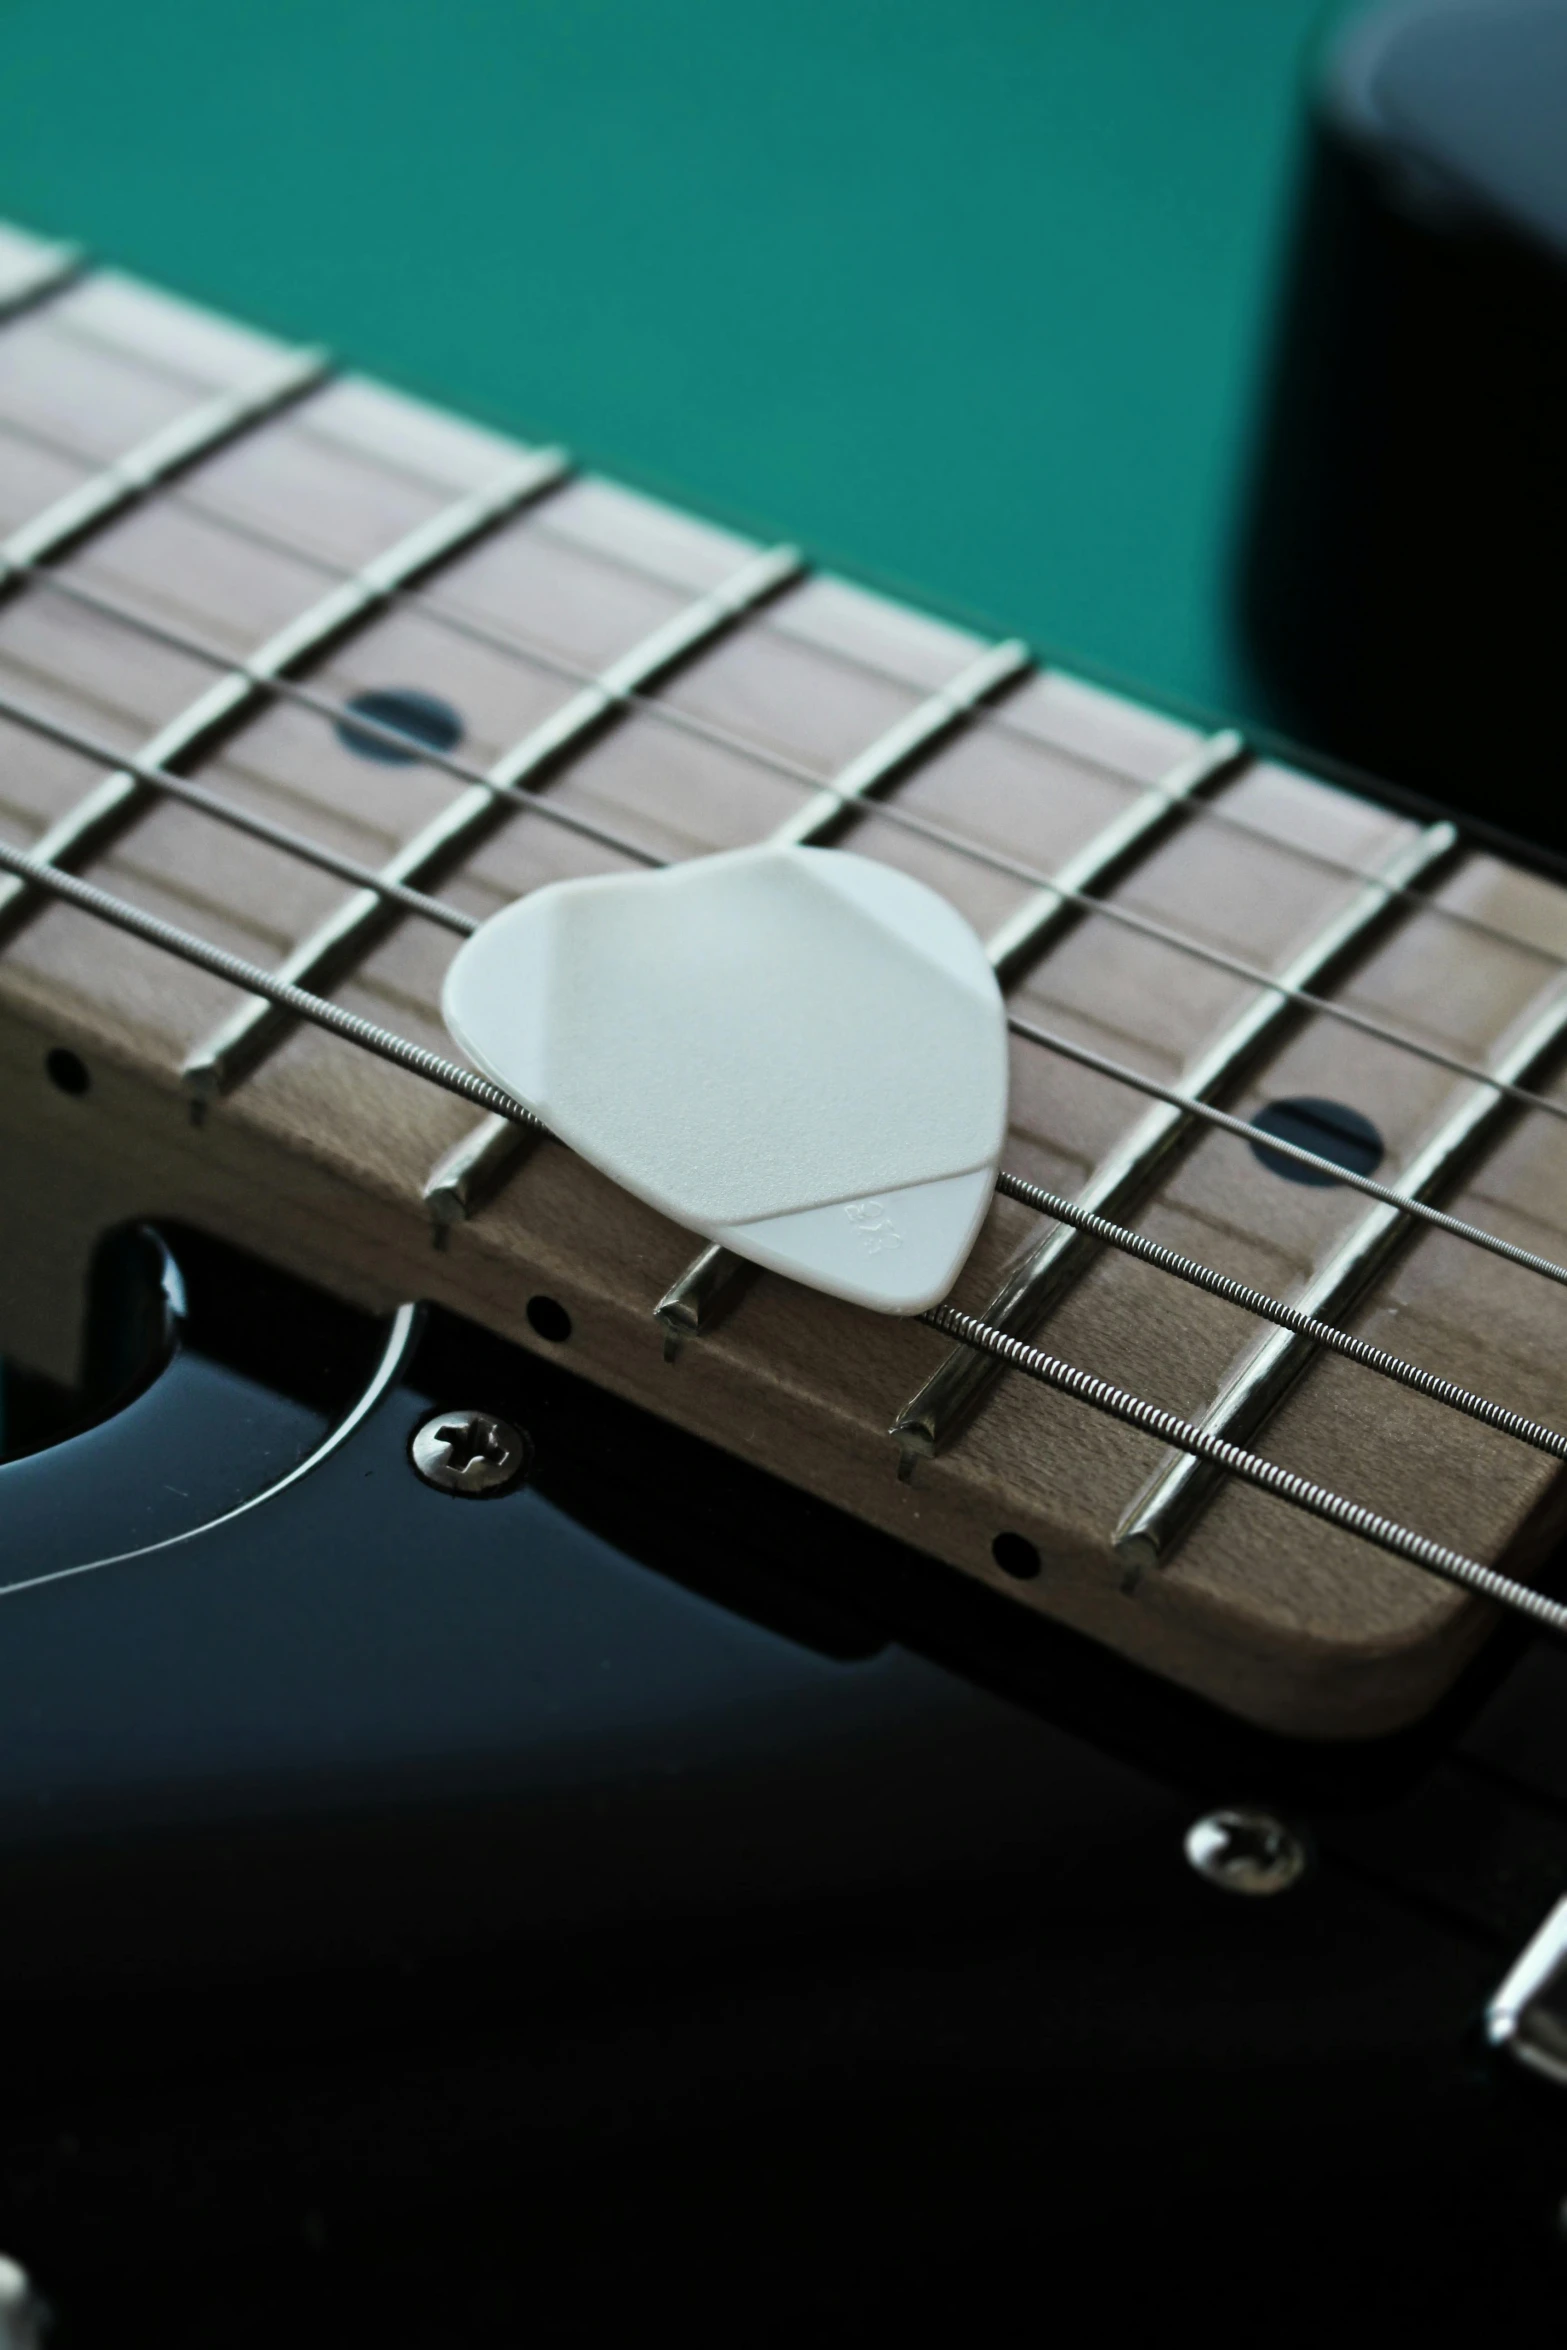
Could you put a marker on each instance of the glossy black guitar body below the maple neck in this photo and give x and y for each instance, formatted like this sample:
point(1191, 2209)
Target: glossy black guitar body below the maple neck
point(450, 1919)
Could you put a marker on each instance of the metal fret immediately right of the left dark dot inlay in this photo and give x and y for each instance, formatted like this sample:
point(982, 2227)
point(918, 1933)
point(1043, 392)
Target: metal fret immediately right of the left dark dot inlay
point(243, 1042)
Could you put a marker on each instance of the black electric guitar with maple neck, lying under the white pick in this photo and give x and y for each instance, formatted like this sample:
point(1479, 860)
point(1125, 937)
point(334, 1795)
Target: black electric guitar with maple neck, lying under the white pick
point(1115, 1710)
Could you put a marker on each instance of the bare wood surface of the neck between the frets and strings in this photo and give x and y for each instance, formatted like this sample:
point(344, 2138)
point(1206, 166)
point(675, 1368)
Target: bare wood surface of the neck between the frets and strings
point(321, 1157)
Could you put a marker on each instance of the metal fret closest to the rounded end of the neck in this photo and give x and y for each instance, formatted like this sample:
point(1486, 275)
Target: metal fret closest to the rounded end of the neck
point(1176, 1496)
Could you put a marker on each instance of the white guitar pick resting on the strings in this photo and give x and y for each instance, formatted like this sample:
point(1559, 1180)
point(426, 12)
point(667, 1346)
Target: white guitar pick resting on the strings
point(793, 1052)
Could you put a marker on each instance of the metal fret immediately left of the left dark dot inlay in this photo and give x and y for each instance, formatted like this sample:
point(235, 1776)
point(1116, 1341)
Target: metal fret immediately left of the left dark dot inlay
point(112, 803)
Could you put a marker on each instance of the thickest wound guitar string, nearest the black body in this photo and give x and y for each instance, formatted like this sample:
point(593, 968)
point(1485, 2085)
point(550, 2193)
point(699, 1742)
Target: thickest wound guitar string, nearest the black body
point(1101, 1395)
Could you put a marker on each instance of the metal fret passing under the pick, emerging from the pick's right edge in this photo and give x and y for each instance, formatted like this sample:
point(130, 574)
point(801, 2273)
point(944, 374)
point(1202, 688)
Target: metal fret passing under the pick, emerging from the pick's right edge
point(692, 1303)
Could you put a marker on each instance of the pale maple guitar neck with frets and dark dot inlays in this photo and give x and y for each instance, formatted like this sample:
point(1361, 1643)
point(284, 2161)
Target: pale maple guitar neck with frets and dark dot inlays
point(403, 647)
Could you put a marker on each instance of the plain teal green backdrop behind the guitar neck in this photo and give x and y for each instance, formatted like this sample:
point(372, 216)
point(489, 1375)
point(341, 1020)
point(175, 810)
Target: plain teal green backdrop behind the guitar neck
point(967, 295)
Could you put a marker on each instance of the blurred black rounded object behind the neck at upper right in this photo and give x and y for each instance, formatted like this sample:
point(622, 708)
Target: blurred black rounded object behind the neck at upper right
point(1404, 560)
